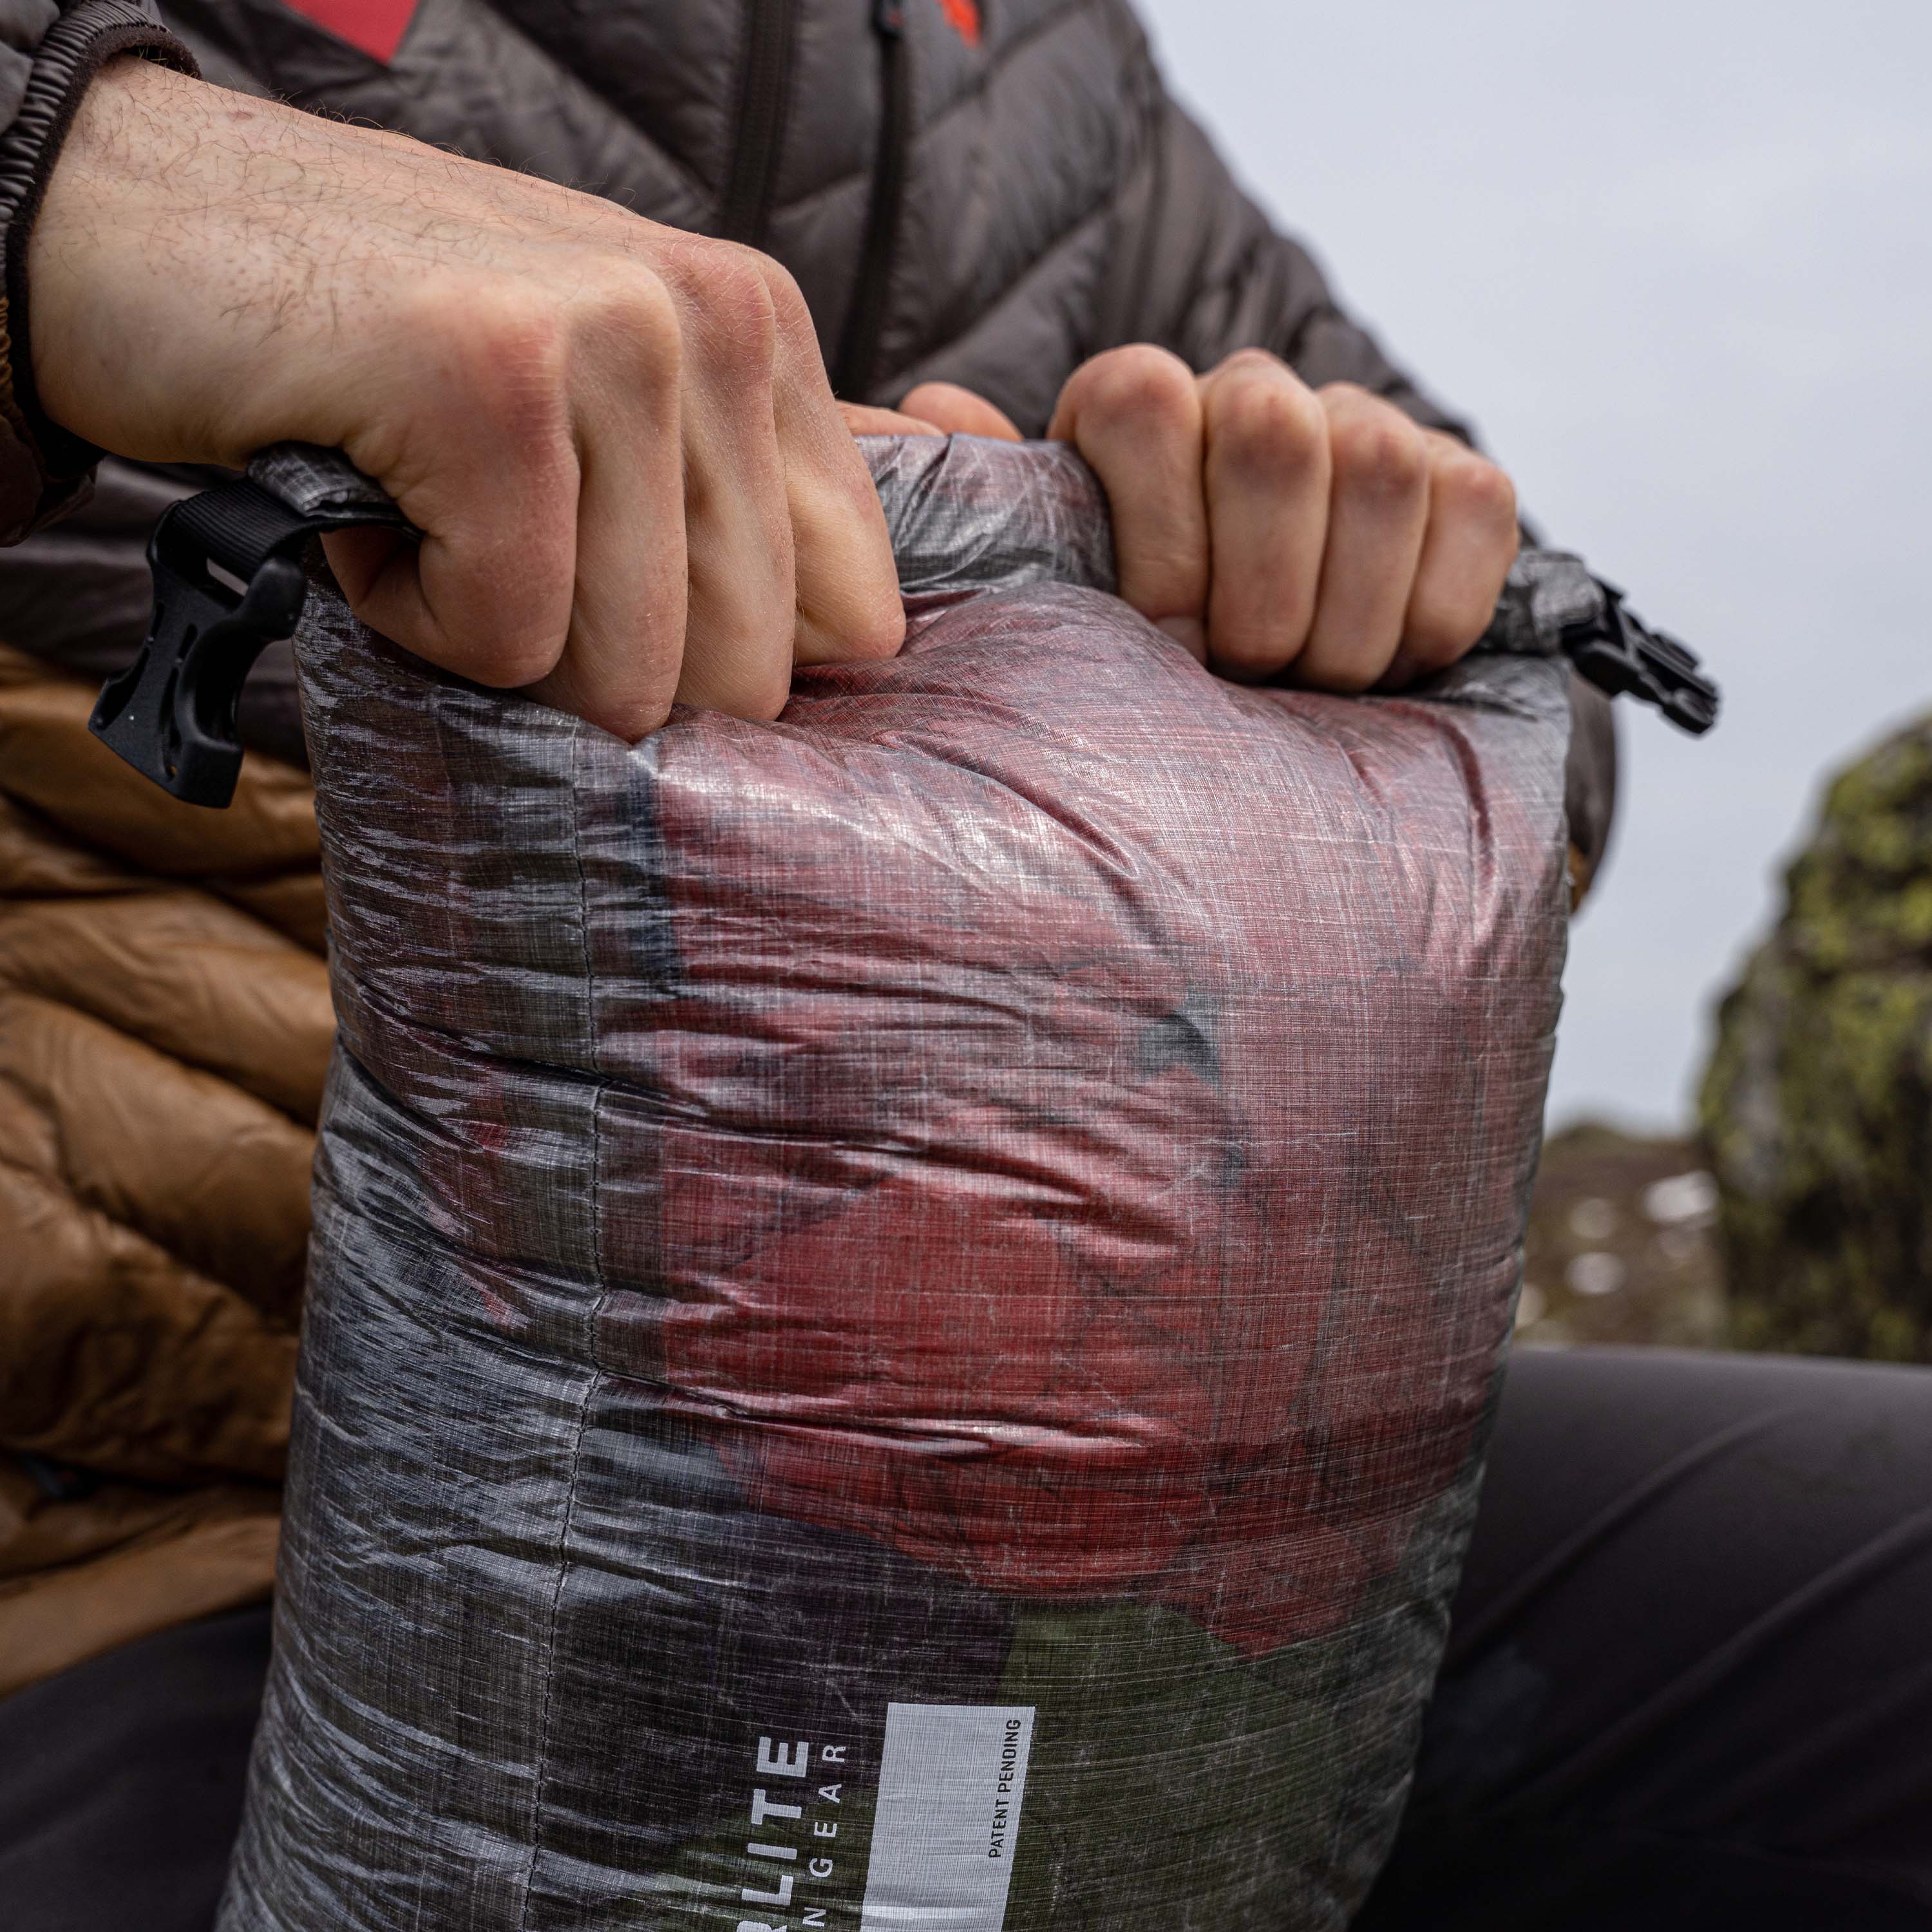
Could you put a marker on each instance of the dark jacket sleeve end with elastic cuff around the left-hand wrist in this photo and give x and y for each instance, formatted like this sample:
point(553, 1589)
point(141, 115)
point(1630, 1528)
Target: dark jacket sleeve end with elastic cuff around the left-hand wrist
point(49, 53)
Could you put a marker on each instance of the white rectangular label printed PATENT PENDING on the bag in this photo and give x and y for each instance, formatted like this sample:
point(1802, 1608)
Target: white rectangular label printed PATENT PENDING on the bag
point(952, 1784)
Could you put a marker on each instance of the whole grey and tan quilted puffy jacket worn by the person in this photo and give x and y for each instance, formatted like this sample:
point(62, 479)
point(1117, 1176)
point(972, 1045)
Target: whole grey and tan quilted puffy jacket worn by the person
point(973, 190)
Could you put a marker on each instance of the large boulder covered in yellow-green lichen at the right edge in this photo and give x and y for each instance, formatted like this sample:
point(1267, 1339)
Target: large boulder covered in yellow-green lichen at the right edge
point(1819, 1096)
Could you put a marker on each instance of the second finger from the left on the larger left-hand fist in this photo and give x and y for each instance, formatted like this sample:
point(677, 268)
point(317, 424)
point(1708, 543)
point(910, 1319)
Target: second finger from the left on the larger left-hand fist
point(627, 644)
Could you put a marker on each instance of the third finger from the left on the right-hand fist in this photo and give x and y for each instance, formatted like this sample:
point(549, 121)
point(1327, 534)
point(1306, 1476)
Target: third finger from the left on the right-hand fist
point(1378, 515)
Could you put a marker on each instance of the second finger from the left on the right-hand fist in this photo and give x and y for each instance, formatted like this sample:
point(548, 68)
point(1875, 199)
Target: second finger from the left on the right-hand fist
point(1268, 497)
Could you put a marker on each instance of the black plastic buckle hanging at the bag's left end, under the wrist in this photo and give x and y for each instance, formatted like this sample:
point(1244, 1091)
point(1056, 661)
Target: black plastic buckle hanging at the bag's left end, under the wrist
point(173, 712)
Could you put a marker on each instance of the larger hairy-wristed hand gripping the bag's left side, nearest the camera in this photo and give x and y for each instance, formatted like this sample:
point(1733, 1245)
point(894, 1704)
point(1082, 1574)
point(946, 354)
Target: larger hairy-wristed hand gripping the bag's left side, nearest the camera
point(617, 440)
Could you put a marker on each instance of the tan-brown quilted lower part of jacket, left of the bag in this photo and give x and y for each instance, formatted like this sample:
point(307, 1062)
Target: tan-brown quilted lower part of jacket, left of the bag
point(165, 1031)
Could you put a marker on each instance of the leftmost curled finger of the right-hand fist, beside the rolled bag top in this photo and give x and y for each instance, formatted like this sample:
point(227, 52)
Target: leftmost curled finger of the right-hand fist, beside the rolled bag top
point(1135, 414)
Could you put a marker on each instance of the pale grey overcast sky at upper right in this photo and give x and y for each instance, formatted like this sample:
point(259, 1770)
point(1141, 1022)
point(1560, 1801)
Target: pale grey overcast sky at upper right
point(1676, 260)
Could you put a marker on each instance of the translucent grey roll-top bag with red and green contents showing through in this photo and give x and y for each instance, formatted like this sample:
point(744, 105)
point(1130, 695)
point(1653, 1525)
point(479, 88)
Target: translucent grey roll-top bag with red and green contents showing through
point(905, 1301)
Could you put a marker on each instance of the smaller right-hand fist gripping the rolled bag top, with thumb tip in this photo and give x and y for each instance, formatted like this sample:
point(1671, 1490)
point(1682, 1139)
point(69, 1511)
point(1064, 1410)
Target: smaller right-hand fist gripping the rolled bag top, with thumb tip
point(1274, 528)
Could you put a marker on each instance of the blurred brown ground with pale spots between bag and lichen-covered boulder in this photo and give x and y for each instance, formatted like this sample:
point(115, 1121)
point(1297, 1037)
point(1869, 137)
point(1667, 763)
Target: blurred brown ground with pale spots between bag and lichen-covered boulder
point(1620, 1245)
